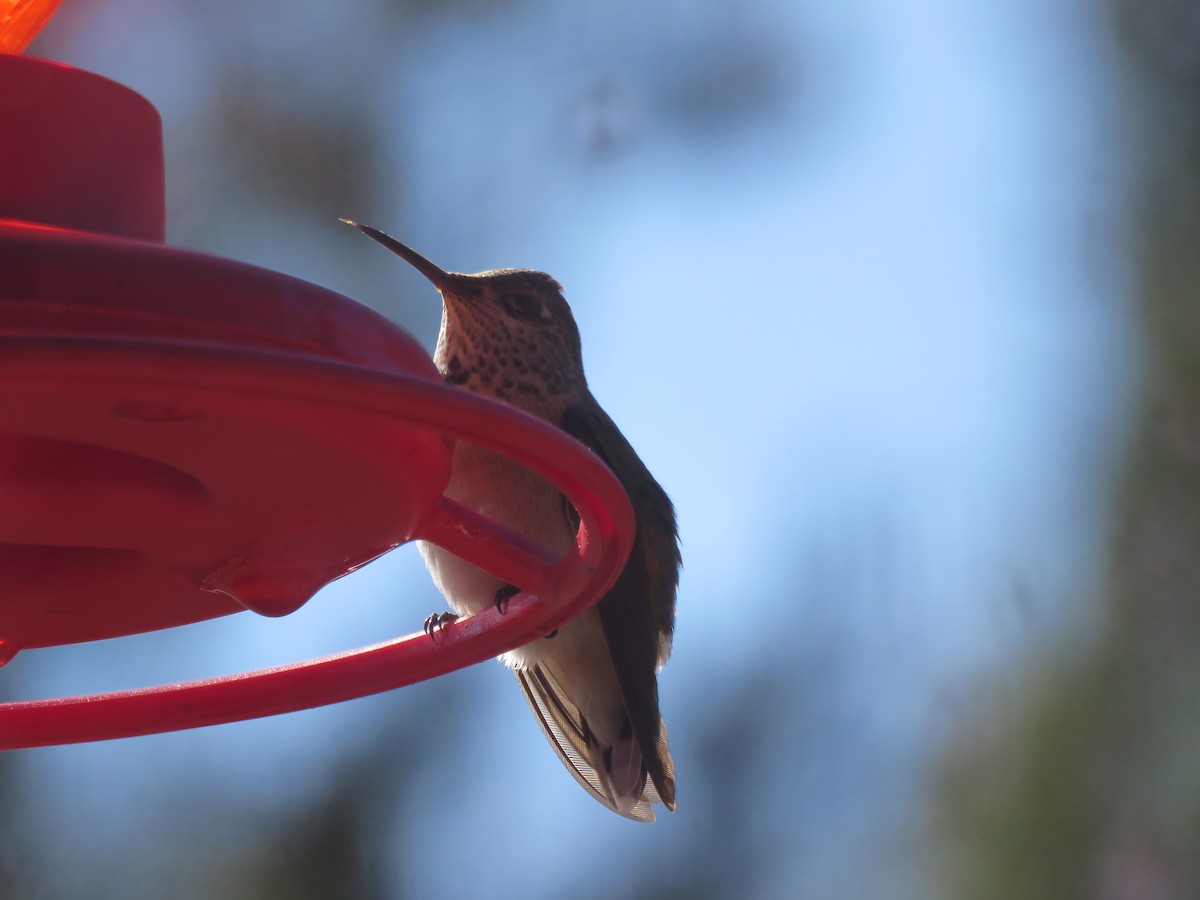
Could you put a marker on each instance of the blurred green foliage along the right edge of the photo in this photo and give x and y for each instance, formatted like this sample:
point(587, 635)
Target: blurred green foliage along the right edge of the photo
point(1091, 787)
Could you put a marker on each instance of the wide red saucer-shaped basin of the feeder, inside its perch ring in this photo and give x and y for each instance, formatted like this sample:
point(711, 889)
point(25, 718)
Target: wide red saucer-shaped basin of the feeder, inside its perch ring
point(183, 485)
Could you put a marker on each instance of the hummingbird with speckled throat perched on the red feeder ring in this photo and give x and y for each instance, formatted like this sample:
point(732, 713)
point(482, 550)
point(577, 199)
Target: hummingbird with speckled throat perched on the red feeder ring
point(592, 685)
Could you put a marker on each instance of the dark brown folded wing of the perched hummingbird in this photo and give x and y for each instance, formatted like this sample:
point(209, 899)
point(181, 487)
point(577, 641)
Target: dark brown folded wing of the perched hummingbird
point(638, 613)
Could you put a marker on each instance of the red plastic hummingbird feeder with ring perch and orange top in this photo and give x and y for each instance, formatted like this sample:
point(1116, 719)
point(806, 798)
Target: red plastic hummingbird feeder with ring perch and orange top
point(185, 437)
